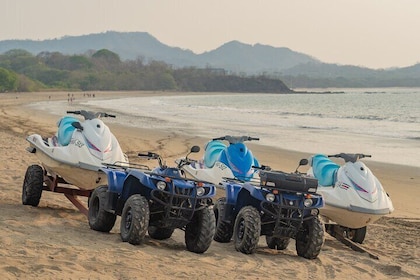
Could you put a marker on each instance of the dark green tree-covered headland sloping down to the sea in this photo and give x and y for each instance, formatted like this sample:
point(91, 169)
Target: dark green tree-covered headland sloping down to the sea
point(104, 70)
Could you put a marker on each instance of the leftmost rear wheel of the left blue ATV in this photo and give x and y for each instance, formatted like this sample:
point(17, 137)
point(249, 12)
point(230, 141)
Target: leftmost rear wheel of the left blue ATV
point(99, 218)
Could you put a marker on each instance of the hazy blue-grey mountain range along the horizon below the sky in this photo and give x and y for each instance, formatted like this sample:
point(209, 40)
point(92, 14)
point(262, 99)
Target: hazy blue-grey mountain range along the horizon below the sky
point(293, 67)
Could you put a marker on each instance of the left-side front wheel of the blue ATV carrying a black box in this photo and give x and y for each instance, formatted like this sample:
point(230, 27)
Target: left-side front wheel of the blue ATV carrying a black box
point(247, 229)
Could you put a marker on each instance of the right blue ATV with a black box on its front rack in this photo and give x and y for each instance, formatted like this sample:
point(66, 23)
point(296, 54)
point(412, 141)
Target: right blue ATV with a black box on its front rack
point(280, 206)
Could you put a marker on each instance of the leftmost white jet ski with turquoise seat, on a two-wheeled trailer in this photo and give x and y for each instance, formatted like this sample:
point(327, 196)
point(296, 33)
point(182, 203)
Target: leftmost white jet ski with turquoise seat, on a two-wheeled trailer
point(78, 150)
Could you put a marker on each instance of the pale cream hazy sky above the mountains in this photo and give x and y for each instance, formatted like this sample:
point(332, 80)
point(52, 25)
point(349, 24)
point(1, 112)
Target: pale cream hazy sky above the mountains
point(371, 33)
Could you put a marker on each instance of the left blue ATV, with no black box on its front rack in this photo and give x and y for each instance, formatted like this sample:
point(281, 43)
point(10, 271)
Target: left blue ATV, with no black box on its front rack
point(155, 201)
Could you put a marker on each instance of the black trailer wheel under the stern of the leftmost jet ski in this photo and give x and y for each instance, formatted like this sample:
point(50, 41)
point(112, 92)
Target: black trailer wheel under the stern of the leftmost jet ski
point(33, 185)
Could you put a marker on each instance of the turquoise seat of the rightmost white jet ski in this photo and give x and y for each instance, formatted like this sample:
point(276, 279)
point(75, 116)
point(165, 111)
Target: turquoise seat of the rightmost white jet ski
point(325, 170)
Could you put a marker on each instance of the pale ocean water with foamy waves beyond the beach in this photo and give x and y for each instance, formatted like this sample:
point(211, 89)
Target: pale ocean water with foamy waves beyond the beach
point(382, 122)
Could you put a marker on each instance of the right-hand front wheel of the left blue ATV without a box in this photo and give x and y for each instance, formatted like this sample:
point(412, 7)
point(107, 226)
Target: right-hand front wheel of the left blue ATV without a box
point(200, 231)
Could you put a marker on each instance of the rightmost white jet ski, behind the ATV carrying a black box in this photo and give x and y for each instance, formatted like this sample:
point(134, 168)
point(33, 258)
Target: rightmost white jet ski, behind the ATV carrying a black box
point(353, 196)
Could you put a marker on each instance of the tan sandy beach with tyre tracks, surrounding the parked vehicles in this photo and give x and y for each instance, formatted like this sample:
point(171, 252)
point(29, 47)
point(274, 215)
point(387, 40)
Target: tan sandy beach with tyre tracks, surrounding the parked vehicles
point(54, 241)
